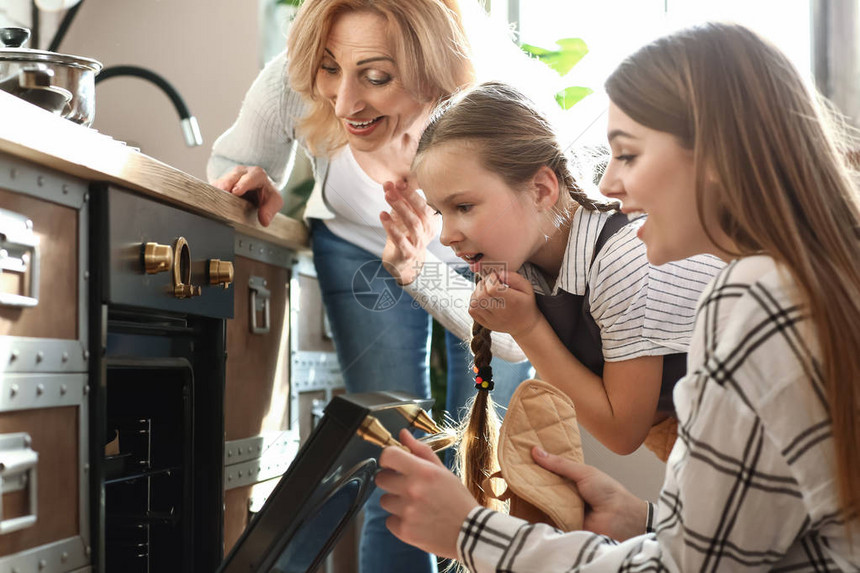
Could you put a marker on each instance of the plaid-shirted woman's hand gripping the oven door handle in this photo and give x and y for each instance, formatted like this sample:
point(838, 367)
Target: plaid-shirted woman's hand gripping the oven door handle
point(428, 504)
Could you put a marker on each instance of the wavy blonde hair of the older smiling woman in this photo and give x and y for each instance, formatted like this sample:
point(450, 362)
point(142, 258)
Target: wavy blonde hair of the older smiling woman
point(431, 51)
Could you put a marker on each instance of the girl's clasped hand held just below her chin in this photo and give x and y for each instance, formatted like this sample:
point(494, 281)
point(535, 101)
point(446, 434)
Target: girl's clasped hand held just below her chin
point(505, 302)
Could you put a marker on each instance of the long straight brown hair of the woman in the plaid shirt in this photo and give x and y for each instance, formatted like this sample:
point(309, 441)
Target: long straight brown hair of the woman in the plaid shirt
point(784, 185)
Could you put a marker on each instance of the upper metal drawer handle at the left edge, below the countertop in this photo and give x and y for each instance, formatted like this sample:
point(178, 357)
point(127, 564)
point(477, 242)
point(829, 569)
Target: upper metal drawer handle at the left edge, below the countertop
point(19, 254)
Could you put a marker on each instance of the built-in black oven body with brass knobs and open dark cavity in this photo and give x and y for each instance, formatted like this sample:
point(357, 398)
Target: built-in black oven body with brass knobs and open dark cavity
point(160, 298)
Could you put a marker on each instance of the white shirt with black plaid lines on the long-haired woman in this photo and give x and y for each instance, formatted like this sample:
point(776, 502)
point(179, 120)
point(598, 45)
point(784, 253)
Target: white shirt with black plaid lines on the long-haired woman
point(750, 483)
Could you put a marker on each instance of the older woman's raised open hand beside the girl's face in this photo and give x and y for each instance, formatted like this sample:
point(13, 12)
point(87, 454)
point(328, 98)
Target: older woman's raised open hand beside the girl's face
point(409, 226)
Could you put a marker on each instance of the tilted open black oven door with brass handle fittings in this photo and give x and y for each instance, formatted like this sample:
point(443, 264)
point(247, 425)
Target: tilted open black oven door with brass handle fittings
point(326, 485)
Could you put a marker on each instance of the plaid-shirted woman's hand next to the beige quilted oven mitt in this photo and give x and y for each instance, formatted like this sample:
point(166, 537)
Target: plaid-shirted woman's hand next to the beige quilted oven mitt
point(610, 509)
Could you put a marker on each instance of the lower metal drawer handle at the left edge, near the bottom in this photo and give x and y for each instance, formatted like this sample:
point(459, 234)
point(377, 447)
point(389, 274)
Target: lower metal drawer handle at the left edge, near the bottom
point(18, 465)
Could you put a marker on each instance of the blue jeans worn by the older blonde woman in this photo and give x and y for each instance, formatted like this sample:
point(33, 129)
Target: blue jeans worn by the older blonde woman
point(382, 341)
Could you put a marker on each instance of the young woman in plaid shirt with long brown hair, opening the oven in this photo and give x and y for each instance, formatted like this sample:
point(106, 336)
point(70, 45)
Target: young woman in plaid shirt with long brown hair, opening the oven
point(715, 136)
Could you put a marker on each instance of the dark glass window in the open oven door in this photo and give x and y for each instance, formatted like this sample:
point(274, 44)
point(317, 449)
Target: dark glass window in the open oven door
point(313, 537)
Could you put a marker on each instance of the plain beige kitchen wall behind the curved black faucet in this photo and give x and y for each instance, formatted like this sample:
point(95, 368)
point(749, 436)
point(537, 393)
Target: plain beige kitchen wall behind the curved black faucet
point(208, 49)
